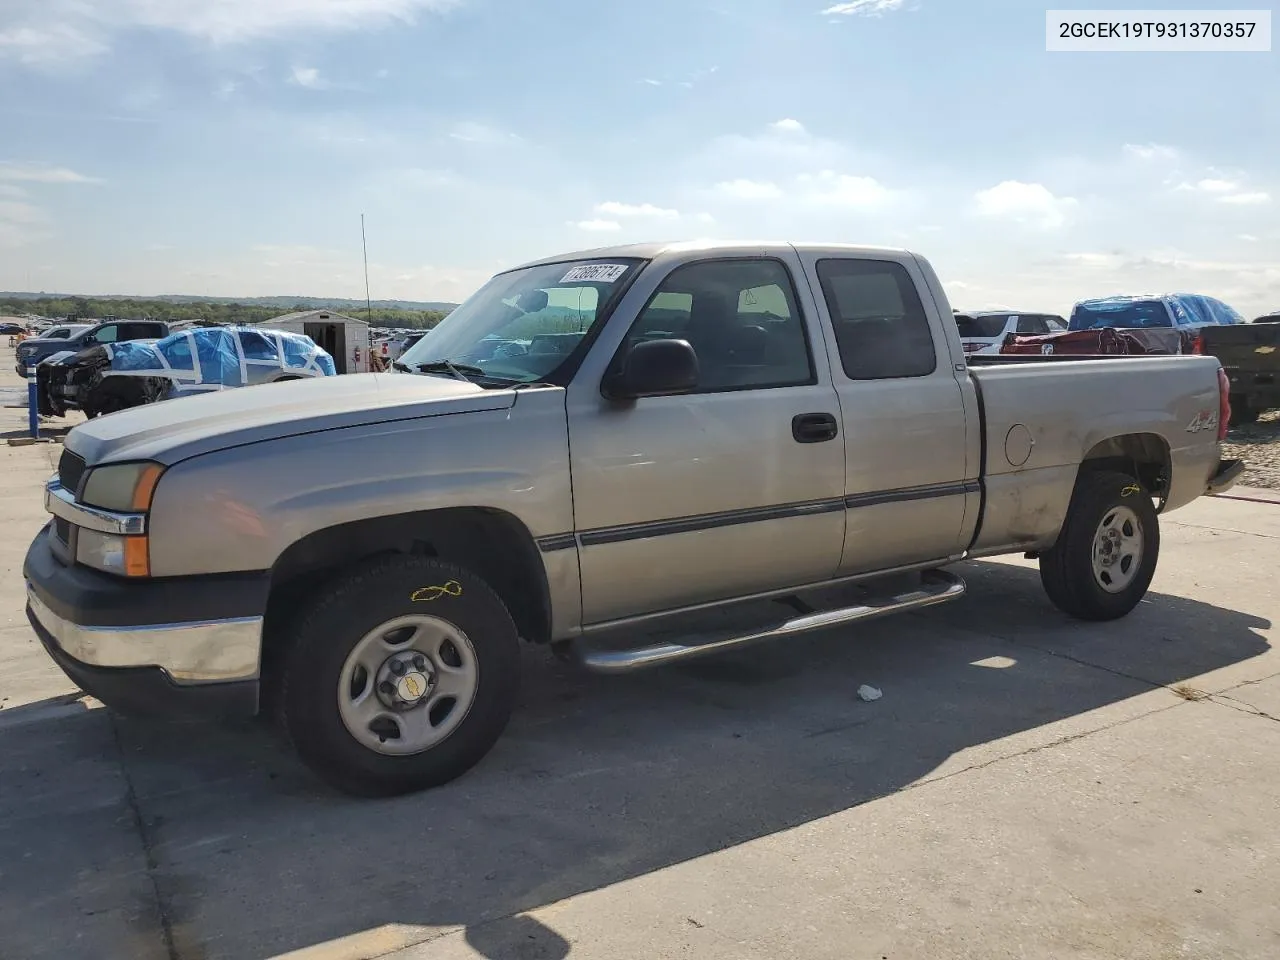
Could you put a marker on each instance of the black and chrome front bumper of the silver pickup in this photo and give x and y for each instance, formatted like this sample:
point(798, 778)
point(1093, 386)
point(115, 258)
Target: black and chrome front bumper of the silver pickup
point(185, 647)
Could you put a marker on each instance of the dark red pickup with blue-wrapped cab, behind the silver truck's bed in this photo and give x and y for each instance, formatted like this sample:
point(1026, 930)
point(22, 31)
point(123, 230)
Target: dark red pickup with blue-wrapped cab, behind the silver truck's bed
point(1169, 323)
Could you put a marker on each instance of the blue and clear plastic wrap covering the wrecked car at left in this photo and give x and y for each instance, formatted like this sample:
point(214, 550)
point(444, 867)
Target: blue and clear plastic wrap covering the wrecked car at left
point(220, 358)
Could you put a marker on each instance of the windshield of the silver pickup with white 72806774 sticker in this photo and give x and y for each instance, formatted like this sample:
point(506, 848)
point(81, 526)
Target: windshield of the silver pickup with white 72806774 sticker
point(523, 324)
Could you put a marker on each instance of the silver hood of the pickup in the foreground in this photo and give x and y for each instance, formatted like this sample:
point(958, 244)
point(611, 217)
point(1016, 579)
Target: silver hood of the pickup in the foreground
point(180, 429)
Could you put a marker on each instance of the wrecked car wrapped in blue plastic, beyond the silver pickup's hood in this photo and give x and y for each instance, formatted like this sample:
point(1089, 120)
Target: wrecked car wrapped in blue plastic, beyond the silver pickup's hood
point(109, 378)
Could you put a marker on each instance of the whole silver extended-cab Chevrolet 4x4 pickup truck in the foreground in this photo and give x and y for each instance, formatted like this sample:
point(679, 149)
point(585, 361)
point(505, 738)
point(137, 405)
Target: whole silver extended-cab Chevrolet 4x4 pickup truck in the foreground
point(632, 456)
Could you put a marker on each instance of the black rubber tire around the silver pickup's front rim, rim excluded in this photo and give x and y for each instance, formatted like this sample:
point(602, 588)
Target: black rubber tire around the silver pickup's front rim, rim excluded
point(323, 638)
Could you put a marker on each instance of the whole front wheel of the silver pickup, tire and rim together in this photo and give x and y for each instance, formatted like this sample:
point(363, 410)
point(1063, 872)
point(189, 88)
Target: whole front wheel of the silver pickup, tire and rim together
point(401, 679)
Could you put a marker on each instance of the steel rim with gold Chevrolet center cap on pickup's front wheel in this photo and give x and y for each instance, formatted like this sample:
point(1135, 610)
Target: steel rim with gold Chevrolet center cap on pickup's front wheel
point(408, 685)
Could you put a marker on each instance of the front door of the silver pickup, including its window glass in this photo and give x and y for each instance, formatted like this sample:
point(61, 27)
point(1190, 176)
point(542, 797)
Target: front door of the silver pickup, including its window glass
point(723, 493)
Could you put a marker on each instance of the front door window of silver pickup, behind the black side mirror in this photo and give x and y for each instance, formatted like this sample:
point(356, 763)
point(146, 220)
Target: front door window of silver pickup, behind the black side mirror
point(742, 319)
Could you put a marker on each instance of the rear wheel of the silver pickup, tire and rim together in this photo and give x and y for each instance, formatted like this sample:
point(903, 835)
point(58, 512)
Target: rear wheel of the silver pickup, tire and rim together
point(1107, 554)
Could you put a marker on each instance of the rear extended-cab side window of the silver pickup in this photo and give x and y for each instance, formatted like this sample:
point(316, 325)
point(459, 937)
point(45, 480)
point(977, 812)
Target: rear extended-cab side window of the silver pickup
point(881, 328)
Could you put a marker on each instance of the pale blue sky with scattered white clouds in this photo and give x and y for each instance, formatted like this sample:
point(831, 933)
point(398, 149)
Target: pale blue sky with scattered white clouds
point(228, 148)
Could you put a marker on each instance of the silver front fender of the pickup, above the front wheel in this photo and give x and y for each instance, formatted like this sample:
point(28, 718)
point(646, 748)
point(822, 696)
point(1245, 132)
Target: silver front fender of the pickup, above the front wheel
point(240, 509)
